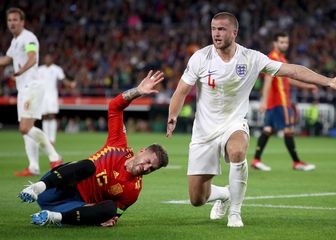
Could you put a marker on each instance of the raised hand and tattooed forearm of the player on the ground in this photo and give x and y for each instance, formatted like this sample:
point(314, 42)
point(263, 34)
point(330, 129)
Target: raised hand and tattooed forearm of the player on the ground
point(147, 86)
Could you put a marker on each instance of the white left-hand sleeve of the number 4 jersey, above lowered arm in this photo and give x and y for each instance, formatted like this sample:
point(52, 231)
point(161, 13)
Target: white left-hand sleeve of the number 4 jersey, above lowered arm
point(191, 73)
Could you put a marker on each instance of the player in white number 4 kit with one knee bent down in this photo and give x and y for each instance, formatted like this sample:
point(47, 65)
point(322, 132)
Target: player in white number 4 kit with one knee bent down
point(224, 74)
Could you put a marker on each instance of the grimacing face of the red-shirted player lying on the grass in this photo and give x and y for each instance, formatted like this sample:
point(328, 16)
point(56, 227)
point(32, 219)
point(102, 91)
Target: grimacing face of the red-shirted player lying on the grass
point(143, 163)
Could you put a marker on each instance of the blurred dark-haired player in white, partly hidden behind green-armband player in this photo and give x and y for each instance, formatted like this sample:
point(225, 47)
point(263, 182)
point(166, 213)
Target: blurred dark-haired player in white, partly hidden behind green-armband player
point(50, 74)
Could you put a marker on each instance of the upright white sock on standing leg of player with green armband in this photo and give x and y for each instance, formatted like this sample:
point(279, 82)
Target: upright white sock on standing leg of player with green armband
point(32, 153)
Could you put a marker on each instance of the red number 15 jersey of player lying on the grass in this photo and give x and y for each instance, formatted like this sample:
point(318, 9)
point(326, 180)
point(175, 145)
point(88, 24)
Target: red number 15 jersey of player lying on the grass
point(111, 181)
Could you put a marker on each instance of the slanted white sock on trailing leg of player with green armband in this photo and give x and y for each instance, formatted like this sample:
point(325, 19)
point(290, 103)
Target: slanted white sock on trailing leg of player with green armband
point(41, 138)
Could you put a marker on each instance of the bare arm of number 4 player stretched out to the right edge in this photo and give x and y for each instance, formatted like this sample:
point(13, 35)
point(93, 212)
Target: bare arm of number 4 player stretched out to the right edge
point(304, 74)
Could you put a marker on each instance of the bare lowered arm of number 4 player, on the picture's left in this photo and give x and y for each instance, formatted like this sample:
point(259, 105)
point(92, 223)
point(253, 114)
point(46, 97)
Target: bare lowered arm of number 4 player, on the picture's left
point(176, 104)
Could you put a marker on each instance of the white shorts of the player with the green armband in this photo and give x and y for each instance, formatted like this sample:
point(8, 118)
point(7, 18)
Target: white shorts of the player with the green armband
point(29, 102)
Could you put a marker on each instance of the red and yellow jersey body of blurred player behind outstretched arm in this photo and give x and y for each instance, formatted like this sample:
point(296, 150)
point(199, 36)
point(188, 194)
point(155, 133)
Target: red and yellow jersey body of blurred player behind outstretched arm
point(279, 94)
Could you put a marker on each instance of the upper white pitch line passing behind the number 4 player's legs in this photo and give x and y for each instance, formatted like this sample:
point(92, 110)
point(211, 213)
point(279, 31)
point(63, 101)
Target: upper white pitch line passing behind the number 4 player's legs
point(266, 197)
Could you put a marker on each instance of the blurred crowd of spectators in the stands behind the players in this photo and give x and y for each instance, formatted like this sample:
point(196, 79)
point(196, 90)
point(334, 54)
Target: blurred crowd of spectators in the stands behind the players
point(106, 46)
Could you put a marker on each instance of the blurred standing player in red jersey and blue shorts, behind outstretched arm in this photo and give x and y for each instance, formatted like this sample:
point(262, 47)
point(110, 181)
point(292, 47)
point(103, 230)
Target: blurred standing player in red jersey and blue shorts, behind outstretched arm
point(279, 115)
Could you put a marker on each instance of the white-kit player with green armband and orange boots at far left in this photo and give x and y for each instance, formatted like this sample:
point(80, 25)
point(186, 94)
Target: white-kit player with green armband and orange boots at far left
point(23, 54)
